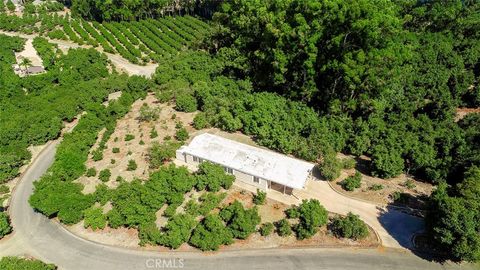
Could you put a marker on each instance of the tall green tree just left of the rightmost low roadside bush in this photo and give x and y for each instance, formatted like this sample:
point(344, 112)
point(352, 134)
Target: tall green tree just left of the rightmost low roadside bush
point(311, 216)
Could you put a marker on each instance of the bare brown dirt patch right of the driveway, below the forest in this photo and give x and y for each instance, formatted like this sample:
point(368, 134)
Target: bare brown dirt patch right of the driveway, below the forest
point(417, 191)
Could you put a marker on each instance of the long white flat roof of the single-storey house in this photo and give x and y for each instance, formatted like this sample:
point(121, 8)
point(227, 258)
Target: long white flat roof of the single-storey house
point(255, 161)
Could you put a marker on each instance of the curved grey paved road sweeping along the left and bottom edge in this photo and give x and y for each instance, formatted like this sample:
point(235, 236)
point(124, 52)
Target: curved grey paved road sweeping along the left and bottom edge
point(42, 238)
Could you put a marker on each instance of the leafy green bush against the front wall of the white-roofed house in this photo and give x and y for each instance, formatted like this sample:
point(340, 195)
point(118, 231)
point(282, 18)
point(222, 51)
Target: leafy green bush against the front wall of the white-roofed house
point(212, 177)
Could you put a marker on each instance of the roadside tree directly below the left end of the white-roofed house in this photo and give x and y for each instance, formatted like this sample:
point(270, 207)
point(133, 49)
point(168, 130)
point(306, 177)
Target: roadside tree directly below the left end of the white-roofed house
point(177, 231)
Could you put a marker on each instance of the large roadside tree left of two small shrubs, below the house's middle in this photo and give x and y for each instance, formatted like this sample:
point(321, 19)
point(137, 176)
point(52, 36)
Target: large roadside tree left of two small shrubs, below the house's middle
point(240, 221)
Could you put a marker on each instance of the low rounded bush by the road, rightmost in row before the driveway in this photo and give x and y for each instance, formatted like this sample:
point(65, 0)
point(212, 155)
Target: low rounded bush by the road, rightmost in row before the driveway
point(350, 226)
